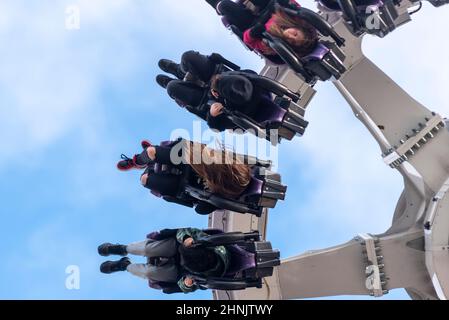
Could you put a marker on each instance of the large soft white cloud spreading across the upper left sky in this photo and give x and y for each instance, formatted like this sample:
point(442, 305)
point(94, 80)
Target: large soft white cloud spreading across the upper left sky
point(51, 78)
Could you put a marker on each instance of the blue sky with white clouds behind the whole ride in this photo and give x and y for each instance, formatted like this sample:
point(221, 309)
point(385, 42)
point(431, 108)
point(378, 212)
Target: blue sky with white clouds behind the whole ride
point(72, 101)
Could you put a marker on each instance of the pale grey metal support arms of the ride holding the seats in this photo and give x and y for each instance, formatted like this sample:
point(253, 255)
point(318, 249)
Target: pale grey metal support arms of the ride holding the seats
point(414, 253)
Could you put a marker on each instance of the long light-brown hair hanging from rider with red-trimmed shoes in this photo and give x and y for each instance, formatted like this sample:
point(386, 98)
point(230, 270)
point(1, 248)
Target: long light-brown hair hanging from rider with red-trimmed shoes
point(222, 172)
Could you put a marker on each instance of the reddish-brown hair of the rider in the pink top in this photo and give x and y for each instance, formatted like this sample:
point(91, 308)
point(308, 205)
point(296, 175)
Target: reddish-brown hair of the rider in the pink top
point(283, 21)
